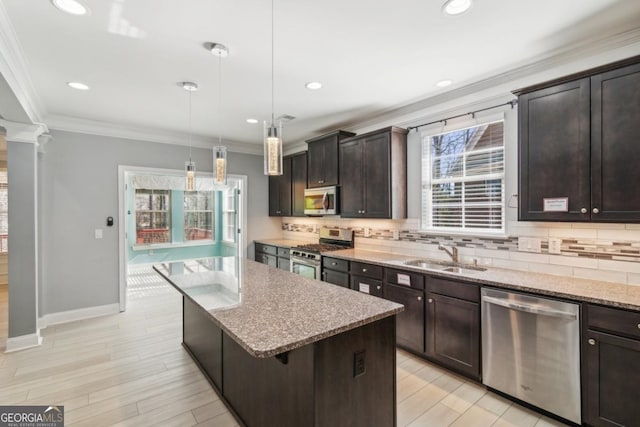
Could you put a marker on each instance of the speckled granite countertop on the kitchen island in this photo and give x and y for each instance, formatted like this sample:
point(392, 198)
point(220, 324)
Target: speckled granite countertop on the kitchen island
point(269, 311)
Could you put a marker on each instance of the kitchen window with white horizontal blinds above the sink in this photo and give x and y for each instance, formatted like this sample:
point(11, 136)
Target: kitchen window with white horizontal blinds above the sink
point(463, 180)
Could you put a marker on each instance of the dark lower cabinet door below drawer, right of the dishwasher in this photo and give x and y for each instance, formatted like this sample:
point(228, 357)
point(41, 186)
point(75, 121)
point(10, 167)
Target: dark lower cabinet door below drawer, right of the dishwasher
point(612, 378)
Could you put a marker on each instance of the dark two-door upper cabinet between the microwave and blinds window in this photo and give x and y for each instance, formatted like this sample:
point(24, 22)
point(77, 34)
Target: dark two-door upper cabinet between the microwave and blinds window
point(373, 175)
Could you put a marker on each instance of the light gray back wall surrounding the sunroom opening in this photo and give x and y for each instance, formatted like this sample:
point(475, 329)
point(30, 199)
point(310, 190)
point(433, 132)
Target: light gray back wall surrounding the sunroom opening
point(79, 191)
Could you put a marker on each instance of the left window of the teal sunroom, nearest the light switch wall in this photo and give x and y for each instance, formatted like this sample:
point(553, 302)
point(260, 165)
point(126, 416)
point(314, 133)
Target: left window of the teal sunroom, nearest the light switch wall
point(153, 216)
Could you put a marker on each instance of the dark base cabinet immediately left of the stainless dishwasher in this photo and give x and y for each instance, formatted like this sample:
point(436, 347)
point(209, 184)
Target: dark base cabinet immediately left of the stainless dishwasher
point(453, 325)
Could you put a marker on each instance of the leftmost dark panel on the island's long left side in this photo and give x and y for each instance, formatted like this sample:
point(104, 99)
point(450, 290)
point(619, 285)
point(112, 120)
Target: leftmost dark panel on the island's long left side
point(203, 339)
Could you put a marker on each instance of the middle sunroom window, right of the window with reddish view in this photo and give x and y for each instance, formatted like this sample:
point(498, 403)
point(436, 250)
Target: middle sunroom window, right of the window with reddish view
point(198, 215)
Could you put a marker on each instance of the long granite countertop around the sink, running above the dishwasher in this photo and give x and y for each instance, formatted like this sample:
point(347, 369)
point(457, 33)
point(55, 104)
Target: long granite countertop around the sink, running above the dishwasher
point(606, 293)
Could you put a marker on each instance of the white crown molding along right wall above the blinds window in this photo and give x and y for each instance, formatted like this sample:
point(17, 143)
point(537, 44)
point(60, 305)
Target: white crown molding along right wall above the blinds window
point(562, 61)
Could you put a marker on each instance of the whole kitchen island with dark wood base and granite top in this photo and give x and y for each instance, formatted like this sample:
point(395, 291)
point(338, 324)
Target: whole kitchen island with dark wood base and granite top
point(284, 350)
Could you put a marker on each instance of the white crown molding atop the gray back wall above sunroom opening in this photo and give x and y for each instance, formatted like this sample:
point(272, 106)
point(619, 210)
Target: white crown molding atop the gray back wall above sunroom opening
point(141, 133)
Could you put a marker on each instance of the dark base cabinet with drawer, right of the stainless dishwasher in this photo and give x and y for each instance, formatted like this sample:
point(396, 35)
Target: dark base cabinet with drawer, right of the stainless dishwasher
point(610, 369)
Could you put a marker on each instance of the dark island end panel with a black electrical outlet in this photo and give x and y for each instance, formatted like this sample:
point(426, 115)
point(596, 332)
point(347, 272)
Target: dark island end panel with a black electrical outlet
point(345, 398)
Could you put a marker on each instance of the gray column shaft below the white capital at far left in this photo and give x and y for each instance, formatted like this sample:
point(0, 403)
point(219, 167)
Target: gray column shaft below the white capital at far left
point(22, 238)
